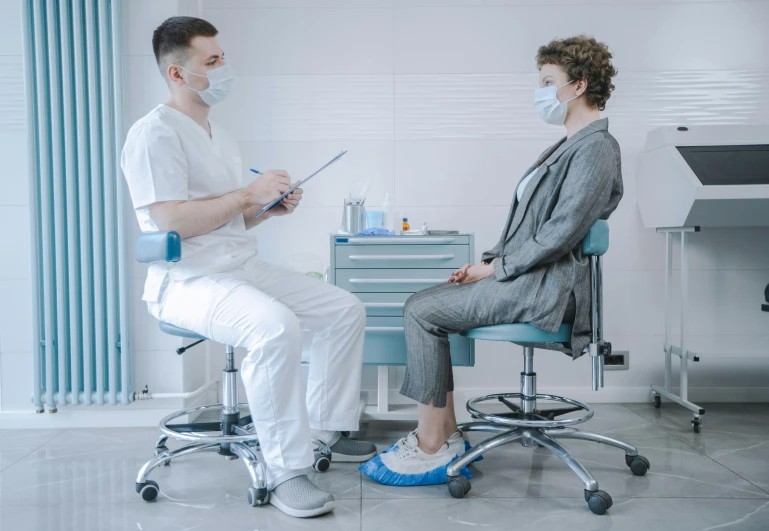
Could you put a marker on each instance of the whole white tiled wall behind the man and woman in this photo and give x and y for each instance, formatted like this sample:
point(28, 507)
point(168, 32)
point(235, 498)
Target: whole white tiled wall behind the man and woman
point(433, 100)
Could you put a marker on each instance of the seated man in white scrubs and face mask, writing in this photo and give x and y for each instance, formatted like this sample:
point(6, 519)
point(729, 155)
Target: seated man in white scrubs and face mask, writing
point(185, 174)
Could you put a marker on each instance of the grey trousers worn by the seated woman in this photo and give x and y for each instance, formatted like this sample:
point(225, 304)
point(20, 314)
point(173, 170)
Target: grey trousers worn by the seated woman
point(429, 317)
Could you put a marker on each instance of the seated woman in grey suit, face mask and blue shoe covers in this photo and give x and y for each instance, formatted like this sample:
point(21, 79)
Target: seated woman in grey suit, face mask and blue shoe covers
point(535, 274)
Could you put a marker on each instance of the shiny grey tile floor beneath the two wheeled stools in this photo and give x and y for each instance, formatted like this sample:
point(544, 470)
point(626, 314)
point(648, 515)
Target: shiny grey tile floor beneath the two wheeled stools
point(83, 479)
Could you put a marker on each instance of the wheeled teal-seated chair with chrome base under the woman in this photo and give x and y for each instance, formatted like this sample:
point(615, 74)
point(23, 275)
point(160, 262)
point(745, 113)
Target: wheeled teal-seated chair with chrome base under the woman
point(531, 426)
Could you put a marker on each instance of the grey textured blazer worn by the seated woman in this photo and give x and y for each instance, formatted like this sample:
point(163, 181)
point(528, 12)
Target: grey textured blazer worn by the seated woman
point(540, 262)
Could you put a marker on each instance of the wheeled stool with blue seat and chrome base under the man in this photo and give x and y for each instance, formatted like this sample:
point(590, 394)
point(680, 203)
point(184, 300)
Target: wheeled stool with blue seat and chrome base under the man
point(233, 436)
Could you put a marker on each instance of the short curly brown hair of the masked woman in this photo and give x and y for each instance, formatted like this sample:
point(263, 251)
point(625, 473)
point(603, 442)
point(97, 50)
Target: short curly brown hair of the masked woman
point(582, 57)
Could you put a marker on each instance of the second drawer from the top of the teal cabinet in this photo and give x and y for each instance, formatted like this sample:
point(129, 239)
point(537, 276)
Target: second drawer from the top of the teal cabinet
point(390, 280)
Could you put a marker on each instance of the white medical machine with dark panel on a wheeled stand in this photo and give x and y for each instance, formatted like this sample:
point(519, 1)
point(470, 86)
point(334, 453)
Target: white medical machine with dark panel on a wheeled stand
point(692, 178)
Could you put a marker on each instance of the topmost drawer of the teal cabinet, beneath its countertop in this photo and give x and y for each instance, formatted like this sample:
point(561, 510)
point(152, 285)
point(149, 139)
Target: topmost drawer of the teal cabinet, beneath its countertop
point(402, 256)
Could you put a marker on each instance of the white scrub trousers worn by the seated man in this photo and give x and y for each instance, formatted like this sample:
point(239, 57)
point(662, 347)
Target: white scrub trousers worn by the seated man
point(264, 307)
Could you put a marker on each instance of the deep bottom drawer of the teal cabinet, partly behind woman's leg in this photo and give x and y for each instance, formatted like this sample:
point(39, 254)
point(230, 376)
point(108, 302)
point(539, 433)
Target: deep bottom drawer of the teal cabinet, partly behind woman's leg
point(385, 344)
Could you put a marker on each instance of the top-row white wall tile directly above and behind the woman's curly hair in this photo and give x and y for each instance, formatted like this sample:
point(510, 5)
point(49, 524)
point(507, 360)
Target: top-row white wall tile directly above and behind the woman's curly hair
point(645, 36)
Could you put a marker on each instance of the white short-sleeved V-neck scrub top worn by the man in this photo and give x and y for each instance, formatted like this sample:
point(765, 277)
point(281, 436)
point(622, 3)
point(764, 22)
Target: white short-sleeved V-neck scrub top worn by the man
point(169, 157)
